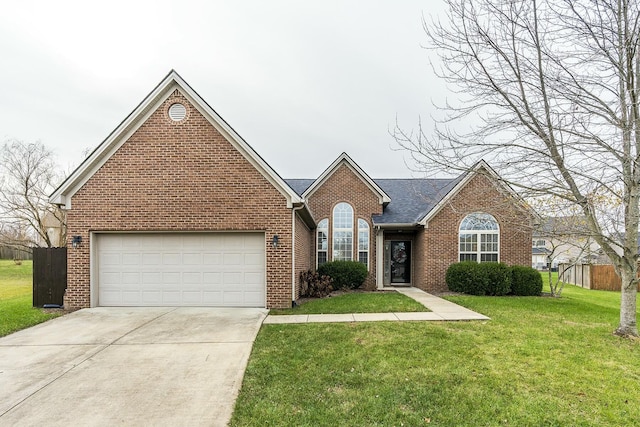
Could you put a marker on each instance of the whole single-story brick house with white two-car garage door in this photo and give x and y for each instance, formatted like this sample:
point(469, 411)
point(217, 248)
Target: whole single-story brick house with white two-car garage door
point(175, 208)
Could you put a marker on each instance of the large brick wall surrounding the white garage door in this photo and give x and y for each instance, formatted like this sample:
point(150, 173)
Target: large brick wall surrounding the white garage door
point(182, 176)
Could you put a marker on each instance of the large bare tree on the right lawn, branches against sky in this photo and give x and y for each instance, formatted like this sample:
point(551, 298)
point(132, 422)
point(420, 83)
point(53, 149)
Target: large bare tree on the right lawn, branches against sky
point(549, 92)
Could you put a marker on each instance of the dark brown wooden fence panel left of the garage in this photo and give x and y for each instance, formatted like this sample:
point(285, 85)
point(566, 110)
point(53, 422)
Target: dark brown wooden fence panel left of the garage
point(49, 276)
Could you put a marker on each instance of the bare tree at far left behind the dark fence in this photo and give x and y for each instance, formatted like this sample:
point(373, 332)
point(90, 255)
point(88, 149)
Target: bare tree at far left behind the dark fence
point(28, 175)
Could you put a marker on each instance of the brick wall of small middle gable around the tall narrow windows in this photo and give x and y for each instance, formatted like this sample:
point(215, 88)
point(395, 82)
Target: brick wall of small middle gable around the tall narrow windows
point(345, 186)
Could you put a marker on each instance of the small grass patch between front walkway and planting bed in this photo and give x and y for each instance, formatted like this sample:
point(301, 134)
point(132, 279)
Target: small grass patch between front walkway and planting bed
point(357, 302)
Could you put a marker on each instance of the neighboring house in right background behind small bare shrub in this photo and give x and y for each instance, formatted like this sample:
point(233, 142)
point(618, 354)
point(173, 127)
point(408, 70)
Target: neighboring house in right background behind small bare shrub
point(563, 240)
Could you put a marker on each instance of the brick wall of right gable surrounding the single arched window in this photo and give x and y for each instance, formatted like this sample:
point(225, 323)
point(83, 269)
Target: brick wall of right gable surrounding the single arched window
point(436, 247)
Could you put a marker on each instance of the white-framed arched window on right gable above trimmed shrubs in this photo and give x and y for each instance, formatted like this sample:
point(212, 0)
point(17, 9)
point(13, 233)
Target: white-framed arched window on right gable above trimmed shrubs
point(479, 238)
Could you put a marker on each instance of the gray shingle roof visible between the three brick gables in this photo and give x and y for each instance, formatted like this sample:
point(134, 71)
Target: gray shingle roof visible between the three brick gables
point(411, 198)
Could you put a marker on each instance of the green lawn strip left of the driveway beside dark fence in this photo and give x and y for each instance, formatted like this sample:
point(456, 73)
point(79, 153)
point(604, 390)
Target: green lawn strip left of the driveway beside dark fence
point(16, 311)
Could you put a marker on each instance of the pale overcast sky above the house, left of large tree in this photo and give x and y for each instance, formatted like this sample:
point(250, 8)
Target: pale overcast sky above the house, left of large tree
point(300, 81)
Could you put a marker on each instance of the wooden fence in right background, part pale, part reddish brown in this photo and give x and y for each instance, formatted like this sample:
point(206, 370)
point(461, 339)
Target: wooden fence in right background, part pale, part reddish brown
point(601, 277)
